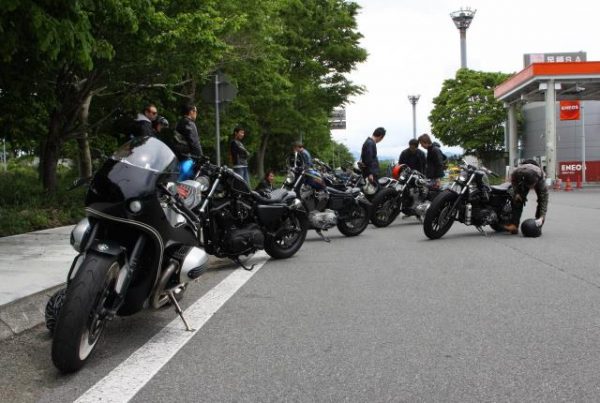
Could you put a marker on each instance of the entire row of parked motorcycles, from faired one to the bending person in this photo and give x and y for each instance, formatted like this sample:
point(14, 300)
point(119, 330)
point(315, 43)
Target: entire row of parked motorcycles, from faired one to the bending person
point(147, 236)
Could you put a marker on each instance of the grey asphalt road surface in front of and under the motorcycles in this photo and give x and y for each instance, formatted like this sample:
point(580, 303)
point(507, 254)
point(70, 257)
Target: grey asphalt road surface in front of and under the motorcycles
point(386, 316)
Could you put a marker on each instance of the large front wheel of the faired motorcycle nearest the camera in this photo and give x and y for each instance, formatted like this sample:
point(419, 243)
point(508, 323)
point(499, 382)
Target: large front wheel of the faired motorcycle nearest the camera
point(83, 314)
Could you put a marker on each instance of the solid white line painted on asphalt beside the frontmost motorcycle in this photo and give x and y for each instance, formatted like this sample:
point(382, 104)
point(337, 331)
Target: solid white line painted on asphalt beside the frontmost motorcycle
point(123, 383)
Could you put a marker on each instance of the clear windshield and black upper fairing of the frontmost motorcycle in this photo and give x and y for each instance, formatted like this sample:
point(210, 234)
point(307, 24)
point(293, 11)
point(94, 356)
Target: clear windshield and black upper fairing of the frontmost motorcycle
point(132, 172)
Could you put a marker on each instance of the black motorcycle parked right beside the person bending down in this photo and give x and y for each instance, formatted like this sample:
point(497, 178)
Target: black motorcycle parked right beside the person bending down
point(470, 200)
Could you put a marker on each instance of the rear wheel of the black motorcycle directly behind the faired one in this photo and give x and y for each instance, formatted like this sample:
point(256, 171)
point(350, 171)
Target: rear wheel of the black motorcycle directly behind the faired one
point(289, 238)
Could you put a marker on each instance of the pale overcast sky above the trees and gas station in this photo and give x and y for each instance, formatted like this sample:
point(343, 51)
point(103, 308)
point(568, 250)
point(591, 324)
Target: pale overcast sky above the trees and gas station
point(414, 46)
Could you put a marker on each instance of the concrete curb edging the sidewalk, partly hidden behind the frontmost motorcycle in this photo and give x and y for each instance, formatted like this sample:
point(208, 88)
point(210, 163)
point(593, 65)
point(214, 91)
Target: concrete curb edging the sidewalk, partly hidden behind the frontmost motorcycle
point(28, 312)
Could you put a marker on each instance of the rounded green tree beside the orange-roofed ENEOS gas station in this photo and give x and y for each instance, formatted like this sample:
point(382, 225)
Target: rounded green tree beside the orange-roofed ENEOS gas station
point(466, 114)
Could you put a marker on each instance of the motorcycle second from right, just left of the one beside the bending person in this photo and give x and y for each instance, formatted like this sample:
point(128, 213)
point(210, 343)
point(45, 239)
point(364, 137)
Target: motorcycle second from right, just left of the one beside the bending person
point(408, 192)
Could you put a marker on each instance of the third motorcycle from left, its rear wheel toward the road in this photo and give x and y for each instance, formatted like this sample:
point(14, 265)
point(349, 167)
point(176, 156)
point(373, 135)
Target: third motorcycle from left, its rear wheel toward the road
point(326, 206)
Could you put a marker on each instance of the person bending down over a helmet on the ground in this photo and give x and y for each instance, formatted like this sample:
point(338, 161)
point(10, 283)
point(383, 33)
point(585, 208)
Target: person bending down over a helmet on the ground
point(527, 176)
